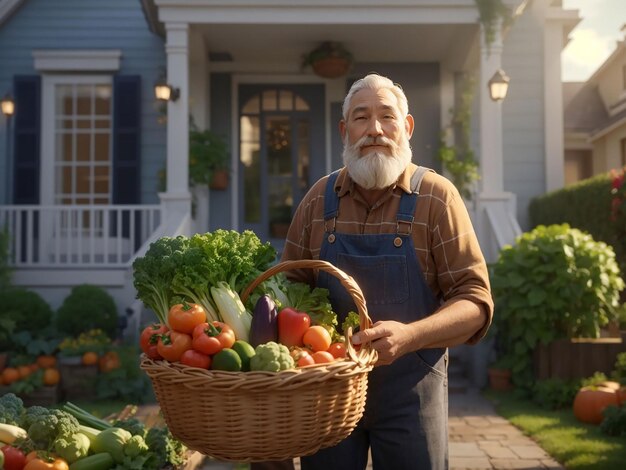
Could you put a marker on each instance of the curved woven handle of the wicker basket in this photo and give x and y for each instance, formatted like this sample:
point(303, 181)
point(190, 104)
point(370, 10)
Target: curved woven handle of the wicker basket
point(366, 354)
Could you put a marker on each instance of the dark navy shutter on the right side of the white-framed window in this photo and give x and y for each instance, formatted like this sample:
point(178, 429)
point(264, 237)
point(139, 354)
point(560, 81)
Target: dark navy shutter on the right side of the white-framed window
point(126, 139)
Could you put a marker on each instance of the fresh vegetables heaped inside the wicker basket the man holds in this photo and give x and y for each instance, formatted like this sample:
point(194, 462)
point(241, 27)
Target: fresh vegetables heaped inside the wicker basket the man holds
point(193, 286)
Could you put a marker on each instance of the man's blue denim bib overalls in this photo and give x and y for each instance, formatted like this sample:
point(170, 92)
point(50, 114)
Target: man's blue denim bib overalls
point(406, 413)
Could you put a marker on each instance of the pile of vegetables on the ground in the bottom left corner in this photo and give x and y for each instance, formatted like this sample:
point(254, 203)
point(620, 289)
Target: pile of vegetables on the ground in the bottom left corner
point(38, 438)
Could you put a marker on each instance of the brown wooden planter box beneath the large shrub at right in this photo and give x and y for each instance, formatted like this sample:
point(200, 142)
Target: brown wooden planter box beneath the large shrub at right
point(576, 358)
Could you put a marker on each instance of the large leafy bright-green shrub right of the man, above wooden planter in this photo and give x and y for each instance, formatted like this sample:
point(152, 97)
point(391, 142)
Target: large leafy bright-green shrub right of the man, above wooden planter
point(555, 282)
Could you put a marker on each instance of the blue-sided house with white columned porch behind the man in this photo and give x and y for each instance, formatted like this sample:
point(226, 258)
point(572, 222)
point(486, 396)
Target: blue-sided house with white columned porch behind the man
point(79, 191)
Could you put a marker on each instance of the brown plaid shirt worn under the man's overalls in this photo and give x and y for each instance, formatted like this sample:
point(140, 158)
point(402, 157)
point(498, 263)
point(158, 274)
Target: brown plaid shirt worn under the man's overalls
point(444, 239)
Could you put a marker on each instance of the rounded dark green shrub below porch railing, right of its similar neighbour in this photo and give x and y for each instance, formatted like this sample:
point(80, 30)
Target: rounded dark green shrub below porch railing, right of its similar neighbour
point(86, 308)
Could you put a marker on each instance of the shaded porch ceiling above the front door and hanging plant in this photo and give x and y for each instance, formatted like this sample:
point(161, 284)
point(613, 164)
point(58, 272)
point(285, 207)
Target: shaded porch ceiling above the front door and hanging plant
point(450, 44)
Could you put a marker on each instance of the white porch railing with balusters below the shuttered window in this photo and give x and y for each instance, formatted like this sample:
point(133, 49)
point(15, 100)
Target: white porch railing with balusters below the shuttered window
point(77, 236)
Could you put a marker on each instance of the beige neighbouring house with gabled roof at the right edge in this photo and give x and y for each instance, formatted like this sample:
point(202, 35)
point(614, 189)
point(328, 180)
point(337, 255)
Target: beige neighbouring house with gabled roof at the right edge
point(595, 120)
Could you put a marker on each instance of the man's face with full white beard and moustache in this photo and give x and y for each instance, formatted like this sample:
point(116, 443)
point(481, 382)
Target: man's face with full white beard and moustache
point(376, 139)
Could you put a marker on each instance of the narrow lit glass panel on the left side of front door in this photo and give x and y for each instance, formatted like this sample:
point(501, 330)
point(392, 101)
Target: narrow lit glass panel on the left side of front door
point(251, 167)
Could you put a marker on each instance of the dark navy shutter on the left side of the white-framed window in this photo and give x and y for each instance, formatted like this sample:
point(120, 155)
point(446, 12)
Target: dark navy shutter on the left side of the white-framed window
point(27, 134)
